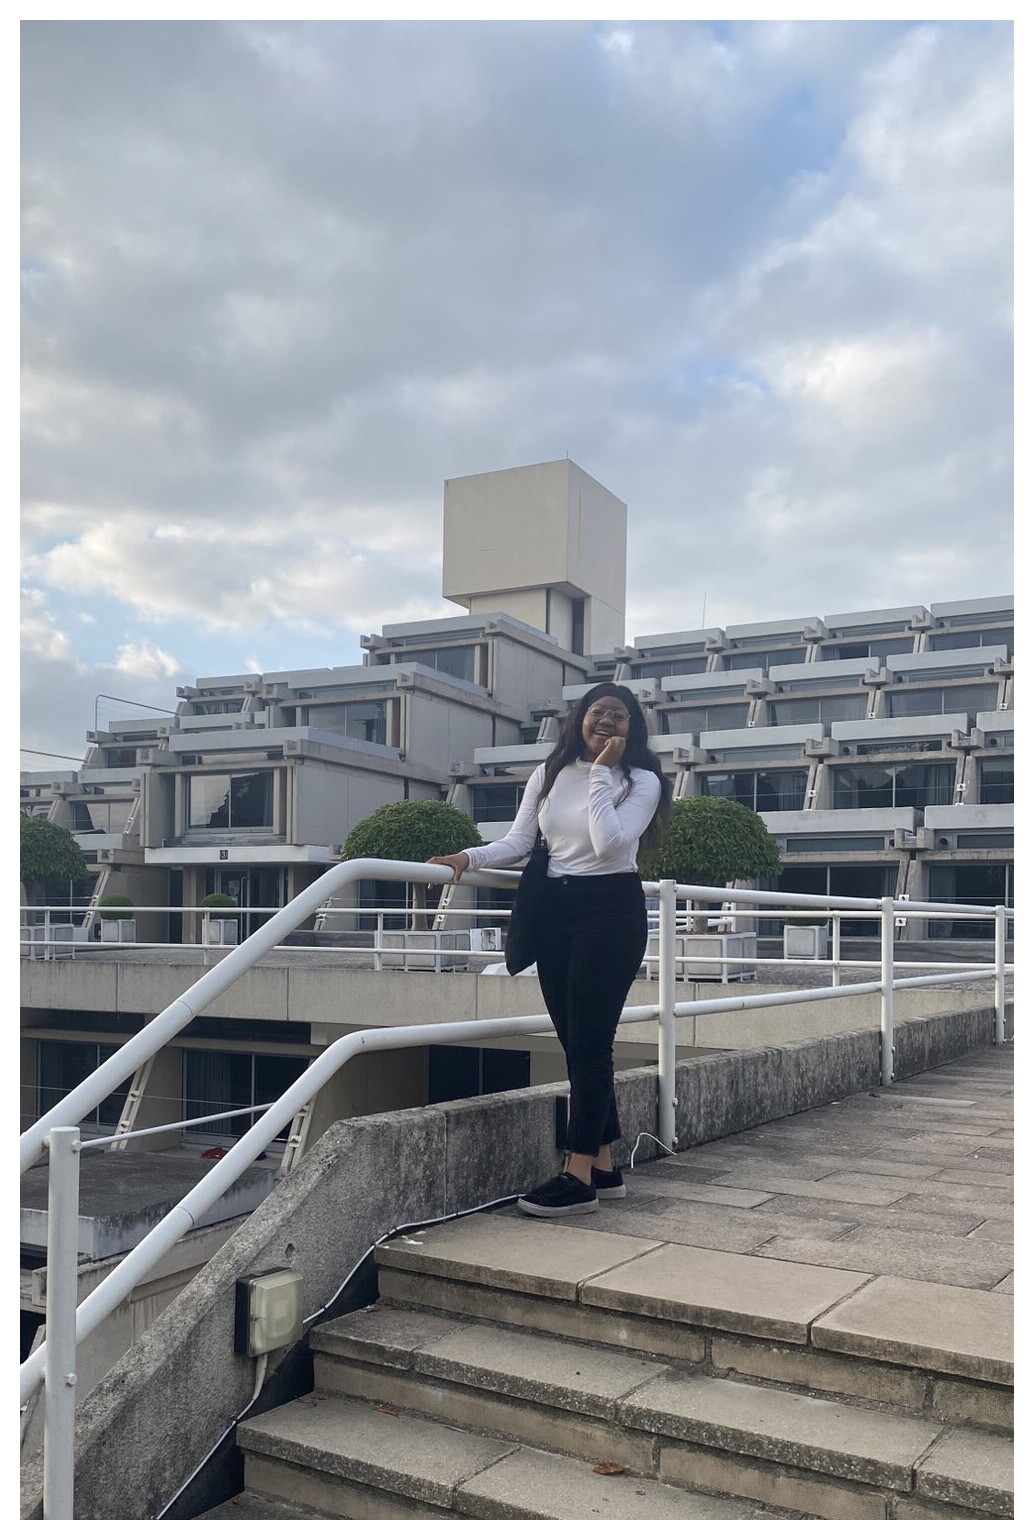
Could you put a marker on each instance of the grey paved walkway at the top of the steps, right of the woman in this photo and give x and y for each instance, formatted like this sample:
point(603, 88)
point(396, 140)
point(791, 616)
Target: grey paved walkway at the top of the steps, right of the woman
point(904, 1193)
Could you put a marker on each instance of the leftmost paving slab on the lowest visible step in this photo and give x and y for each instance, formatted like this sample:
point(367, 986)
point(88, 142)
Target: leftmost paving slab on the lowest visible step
point(354, 1441)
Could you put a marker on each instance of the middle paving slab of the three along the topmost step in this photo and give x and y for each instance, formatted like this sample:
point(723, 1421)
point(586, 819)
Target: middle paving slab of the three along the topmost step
point(756, 1296)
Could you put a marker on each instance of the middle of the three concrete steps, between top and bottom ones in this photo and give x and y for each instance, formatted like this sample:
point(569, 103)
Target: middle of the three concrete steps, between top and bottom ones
point(808, 1455)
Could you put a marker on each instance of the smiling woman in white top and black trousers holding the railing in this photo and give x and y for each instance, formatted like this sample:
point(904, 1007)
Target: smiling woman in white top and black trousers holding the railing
point(596, 798)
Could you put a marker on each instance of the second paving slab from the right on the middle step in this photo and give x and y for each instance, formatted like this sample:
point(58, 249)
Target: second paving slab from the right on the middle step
point(784, 1427)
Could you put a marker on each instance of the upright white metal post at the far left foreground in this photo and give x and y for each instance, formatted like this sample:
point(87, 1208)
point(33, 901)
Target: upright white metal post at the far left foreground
point(59, 1390)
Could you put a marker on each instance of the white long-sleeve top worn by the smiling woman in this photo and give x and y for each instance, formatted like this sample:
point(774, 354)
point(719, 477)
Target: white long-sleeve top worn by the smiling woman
point(588, 829)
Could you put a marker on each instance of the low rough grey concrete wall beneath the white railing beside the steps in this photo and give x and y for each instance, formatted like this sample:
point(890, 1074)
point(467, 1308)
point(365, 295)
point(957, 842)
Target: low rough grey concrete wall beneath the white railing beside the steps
point(166, 1407)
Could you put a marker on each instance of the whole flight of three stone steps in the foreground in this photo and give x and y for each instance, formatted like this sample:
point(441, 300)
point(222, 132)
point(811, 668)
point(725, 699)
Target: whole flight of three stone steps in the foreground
point(526, 1370)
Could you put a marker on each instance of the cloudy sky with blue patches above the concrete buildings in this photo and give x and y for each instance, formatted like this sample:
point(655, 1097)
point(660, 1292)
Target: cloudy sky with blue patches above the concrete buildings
point(283, 280)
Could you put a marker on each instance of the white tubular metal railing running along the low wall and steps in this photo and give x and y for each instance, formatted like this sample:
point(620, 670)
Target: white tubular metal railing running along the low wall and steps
point(58, 1133)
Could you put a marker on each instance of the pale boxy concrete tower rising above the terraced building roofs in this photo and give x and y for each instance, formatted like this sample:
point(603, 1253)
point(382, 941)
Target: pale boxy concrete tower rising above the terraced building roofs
point(545, 544)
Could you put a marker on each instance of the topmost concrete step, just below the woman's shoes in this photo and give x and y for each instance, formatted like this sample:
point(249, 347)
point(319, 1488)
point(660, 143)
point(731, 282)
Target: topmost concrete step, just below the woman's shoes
point(916, 1347)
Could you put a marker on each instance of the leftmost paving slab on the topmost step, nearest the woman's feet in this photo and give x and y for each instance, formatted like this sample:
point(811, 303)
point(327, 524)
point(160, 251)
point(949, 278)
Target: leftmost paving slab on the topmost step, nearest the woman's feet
point(531, 1257)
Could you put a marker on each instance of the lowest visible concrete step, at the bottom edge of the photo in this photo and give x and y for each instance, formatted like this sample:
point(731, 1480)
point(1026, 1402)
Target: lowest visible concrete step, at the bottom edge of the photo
point(354, 1461)
